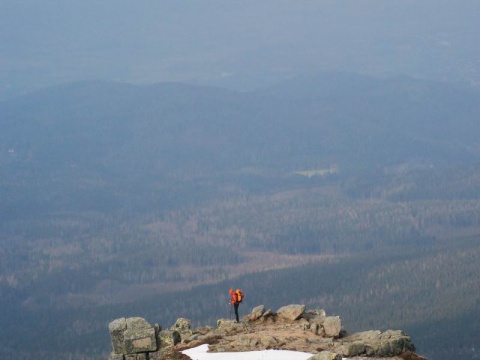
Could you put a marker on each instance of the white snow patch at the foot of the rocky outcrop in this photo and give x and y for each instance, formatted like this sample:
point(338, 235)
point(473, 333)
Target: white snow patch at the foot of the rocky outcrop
point(200, 353)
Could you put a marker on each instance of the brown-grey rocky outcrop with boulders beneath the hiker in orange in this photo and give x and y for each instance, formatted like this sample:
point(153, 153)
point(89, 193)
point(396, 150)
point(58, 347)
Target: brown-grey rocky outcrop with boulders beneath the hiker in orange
point(291, 327)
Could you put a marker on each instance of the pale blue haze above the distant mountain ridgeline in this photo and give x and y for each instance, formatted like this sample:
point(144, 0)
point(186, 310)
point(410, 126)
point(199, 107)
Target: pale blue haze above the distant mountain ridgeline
point(240, 44)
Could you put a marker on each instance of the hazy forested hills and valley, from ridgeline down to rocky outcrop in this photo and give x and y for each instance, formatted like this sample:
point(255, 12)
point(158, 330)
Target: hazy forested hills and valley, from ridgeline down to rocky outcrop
point(121, 200)
